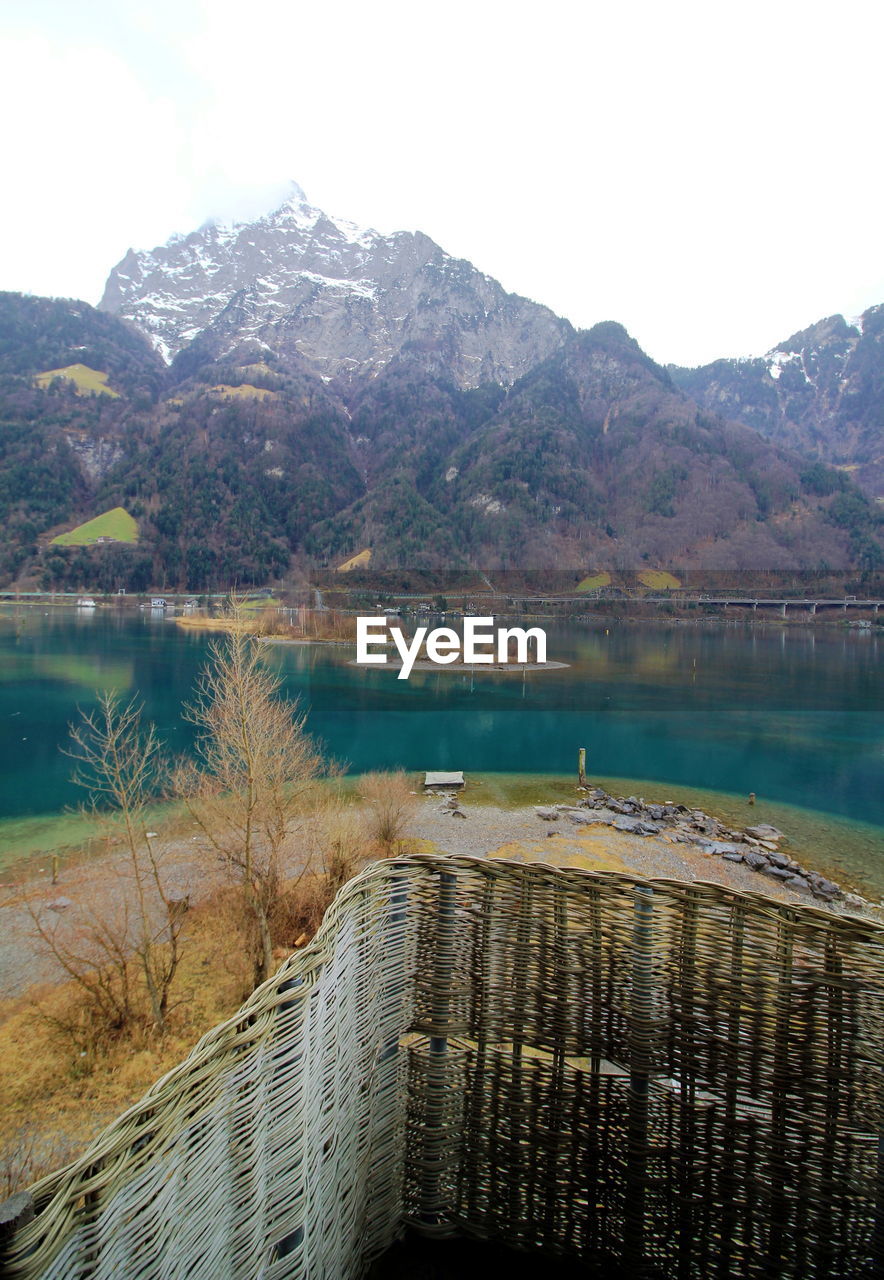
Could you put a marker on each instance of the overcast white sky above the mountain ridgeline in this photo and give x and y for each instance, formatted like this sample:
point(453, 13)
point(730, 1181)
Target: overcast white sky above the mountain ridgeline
point(709, 175)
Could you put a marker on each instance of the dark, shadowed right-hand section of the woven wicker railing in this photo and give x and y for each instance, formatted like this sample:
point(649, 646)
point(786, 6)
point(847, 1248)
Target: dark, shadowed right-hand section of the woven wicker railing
point(671, 1077)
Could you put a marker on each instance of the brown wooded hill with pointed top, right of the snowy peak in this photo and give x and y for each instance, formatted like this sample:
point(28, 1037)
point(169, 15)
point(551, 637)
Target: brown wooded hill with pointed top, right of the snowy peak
point(594, 458)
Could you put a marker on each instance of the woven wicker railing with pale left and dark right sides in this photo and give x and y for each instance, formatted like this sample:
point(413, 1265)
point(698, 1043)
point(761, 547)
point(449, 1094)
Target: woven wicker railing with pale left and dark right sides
point(653, 1077)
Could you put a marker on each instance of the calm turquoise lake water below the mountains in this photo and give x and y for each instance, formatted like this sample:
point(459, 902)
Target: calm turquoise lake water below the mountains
point(795, 715)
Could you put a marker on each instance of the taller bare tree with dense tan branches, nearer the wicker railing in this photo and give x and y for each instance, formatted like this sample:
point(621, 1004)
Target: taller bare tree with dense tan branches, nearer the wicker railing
point(255, 766)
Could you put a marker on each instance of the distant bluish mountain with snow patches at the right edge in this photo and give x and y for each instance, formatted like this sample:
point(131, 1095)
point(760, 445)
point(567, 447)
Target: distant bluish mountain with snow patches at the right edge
point(821, 392)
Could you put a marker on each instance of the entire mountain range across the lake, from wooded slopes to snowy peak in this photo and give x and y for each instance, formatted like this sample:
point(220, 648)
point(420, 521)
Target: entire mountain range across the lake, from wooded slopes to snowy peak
point(299, 392)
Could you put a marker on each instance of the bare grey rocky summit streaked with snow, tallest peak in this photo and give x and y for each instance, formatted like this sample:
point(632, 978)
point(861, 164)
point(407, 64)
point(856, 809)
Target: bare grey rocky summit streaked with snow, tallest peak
point(326, 295)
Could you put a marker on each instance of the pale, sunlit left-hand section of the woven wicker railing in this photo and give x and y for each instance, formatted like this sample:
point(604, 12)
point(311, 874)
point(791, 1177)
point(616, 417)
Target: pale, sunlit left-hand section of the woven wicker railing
point(254, 1156)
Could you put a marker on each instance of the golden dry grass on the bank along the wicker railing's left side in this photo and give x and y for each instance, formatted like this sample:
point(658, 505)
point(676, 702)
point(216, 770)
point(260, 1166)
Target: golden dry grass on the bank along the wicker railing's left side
point(57, 1095)
